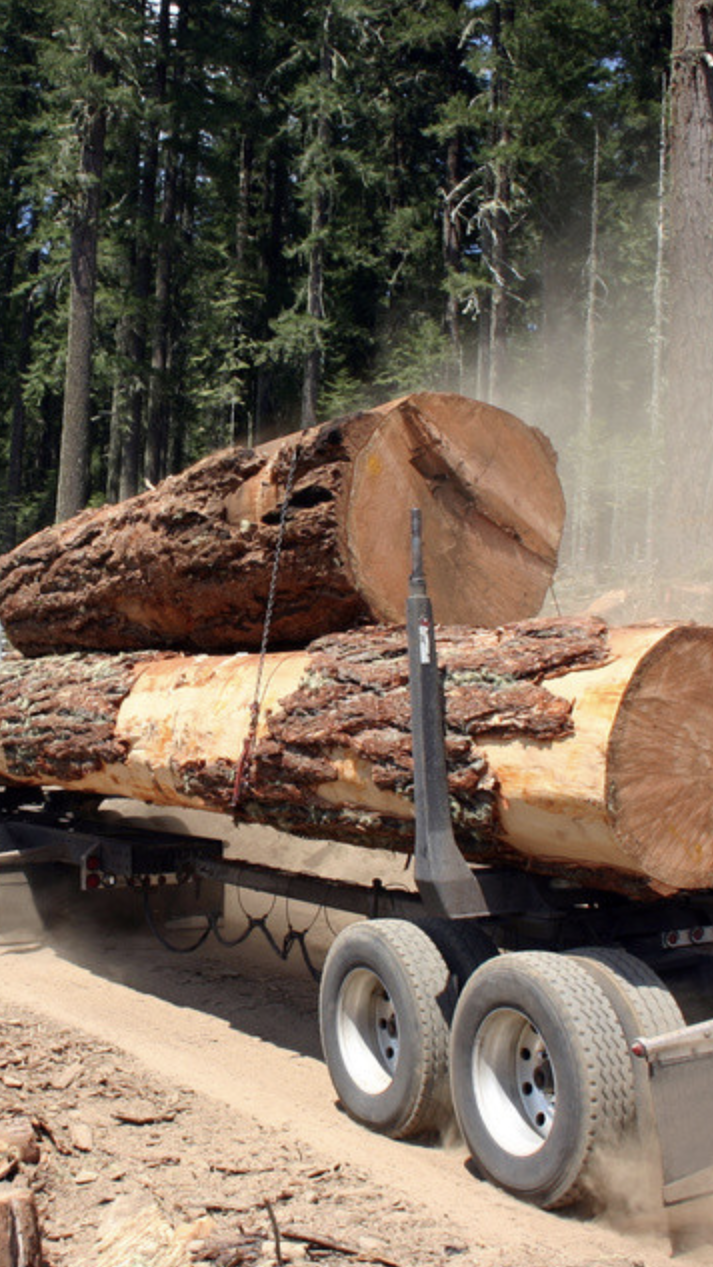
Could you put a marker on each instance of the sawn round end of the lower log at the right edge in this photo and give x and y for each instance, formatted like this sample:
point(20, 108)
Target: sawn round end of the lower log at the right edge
point(660, 762)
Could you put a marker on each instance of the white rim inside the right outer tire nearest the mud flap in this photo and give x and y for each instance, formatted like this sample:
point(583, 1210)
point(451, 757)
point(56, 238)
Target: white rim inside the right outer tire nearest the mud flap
point(514, 1083)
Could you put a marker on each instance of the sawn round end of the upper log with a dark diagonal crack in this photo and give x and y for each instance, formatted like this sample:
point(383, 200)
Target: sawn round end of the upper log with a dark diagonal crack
point(492, 507)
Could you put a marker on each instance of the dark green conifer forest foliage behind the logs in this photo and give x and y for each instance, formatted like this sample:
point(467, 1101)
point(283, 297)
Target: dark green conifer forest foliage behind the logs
point(281, 181)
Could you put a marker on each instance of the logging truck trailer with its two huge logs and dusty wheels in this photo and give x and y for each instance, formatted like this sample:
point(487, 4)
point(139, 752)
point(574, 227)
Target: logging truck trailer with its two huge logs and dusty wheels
point(553, 780)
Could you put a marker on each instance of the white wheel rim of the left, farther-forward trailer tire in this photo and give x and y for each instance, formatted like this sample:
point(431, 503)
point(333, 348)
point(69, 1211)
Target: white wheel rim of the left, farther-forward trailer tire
point(368, 1032)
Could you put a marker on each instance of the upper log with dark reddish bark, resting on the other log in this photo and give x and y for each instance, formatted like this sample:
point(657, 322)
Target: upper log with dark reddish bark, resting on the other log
point(188, 566)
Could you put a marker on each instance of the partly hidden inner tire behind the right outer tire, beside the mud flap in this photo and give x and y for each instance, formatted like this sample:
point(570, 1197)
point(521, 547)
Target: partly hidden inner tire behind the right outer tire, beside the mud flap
point(644, 1005)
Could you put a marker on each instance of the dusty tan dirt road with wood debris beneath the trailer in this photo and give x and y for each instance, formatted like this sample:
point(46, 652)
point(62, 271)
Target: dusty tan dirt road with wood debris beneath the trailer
point(224, 1048)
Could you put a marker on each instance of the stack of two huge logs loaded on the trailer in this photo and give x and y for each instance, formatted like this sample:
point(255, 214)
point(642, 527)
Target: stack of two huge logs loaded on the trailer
point(572, 749)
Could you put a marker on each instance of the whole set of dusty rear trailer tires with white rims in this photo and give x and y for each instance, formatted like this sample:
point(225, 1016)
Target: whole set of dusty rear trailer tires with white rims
point(534, 1055)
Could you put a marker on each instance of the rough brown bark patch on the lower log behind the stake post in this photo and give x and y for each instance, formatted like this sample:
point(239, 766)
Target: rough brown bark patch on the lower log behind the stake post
point(354, 705)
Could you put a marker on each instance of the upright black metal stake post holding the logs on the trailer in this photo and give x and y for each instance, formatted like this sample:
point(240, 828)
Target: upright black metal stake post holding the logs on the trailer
point(445, 881)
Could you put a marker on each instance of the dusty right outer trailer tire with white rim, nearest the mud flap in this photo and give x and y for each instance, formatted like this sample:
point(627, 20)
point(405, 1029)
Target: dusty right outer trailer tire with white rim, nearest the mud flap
point(540, 1075)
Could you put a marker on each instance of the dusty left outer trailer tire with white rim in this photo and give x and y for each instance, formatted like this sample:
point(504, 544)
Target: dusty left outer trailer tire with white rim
point(383, 1018)
